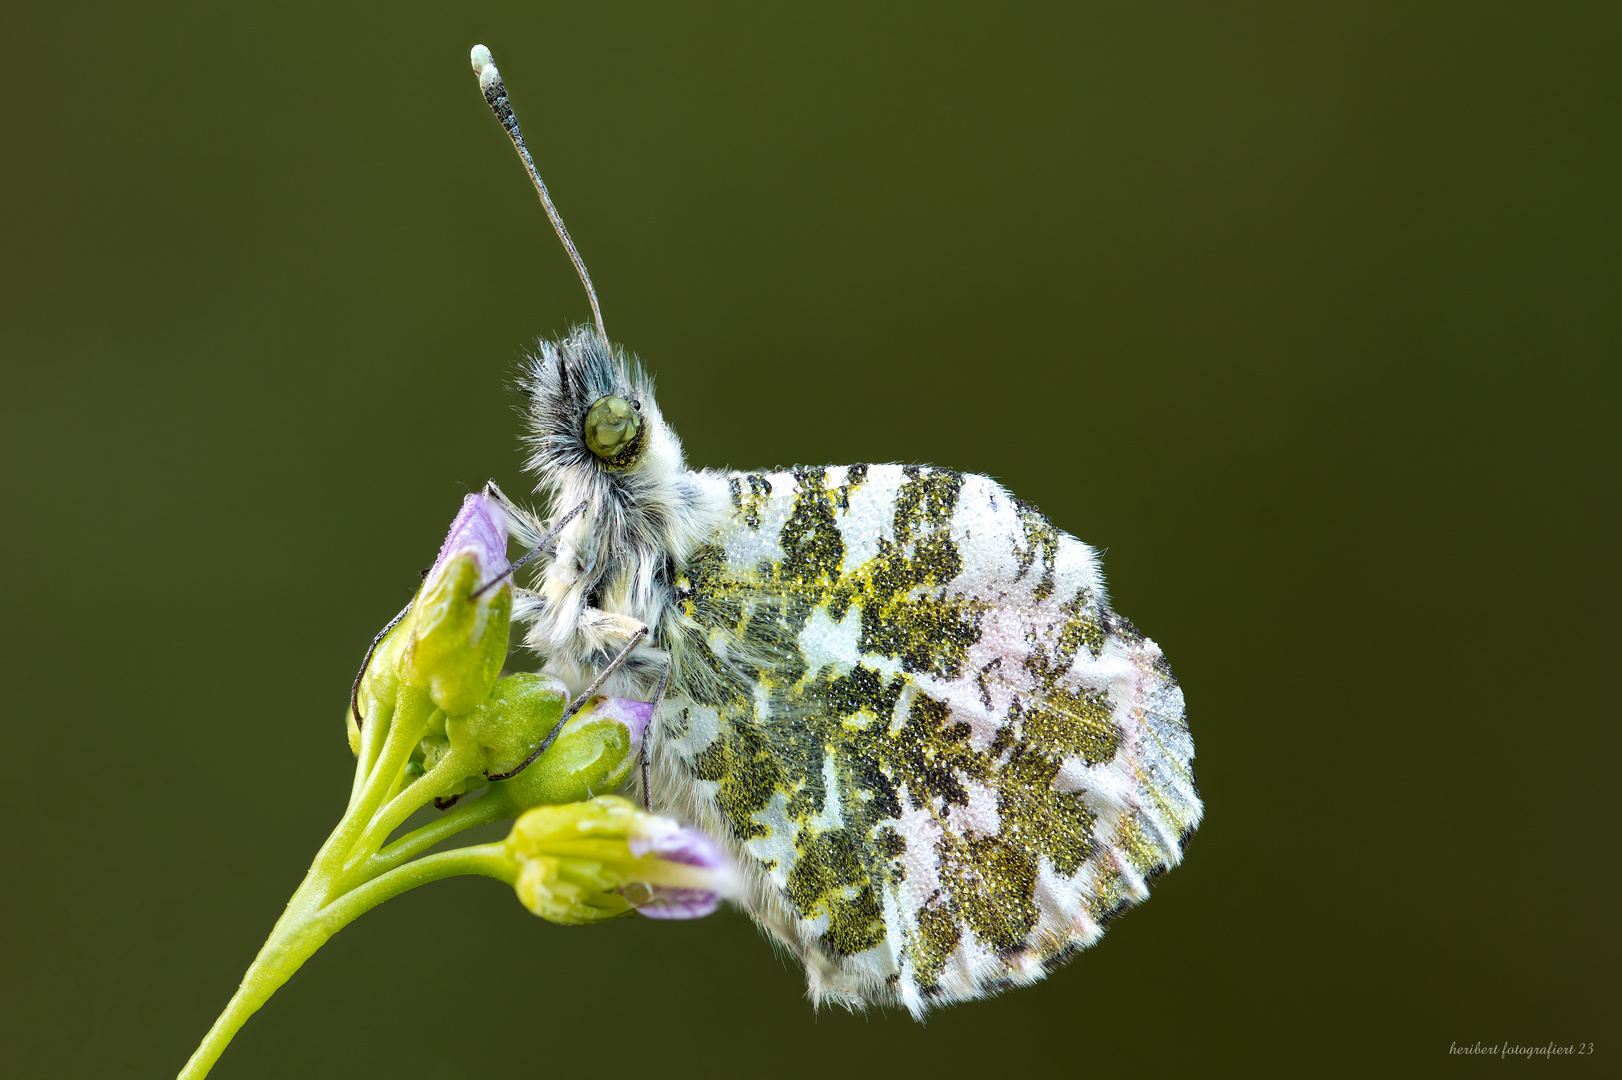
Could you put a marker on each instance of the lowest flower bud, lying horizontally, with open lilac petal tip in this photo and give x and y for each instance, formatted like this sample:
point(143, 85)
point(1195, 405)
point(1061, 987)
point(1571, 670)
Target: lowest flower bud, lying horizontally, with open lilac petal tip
point(606, 859)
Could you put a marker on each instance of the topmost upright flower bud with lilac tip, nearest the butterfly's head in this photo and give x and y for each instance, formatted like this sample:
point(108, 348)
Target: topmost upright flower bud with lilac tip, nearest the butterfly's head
point(458, 641)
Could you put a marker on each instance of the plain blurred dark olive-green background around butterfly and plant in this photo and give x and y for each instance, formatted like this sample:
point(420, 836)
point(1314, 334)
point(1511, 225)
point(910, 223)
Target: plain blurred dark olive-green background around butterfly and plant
point(1307, 314)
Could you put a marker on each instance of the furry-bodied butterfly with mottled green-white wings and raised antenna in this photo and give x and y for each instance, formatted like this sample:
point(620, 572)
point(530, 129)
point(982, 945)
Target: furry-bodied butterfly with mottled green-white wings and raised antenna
point(898, 695)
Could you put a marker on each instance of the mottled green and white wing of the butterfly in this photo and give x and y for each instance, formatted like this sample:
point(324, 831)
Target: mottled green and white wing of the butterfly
point(904, 701)
